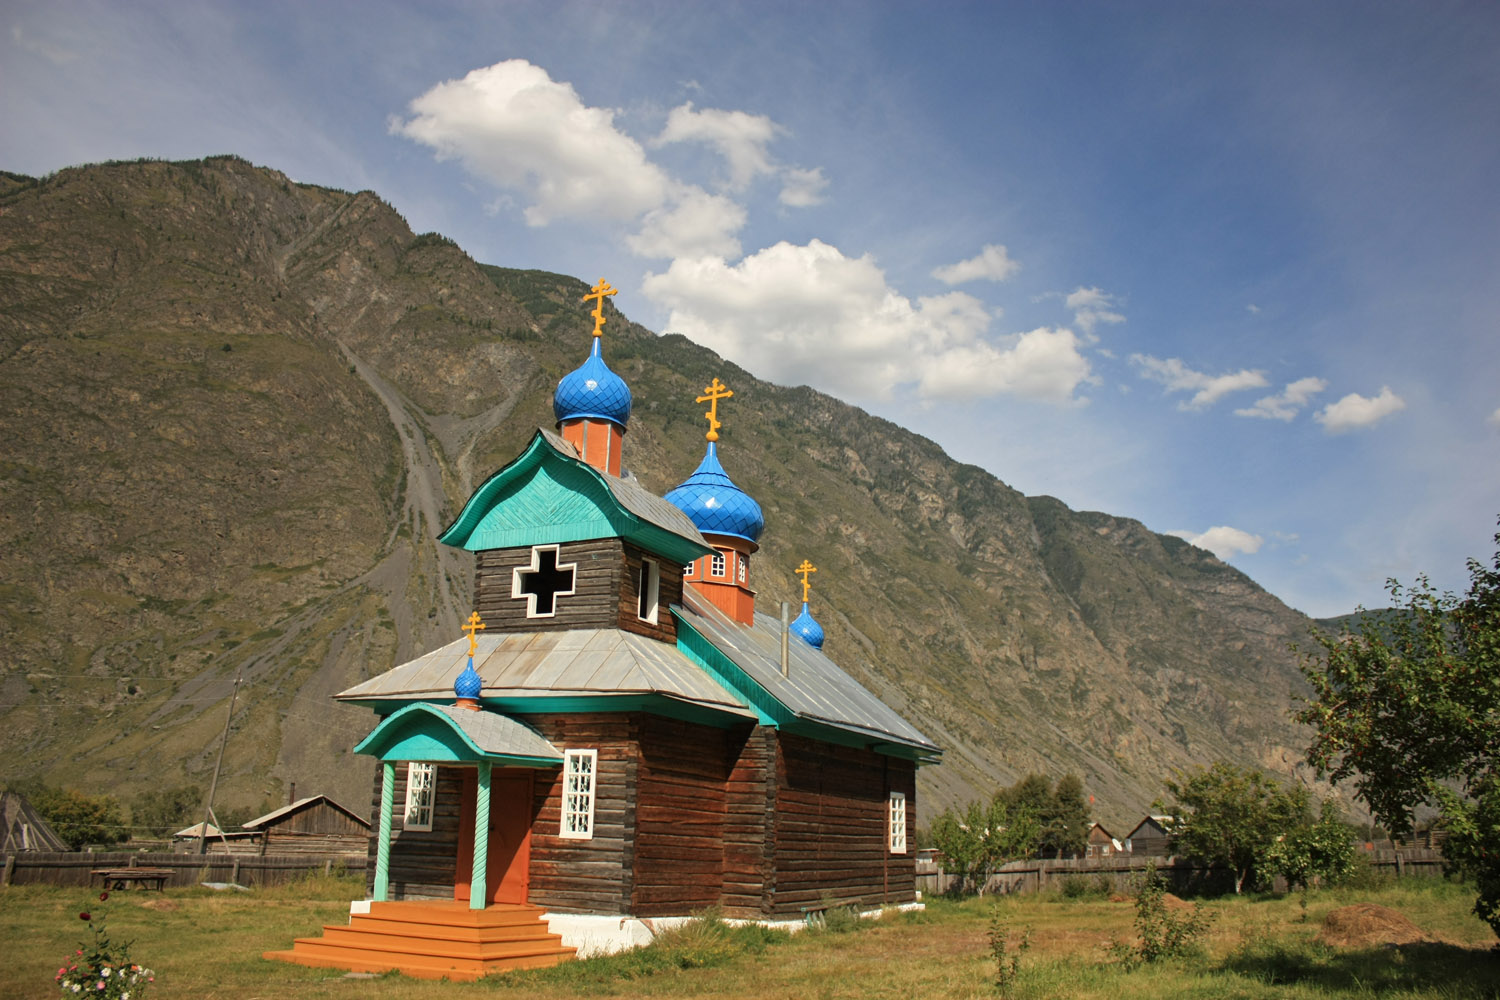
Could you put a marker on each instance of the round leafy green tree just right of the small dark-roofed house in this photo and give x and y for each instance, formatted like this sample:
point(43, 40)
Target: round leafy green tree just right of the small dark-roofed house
point(1232, 816)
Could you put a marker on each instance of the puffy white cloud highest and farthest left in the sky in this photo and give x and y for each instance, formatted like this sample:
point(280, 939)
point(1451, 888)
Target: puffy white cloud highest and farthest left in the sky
point(517, 128)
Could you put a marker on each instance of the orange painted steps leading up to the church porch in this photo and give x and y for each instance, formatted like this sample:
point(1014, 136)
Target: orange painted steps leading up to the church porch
point(434, 941)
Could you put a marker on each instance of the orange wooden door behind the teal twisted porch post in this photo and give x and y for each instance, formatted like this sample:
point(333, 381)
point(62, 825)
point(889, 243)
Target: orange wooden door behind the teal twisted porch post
point(509, 864)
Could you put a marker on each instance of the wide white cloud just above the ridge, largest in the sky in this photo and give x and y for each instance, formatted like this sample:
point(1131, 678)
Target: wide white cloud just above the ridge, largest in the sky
point(809, 314)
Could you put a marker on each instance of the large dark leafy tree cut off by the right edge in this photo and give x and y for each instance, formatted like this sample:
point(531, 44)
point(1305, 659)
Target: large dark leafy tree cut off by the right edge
point(1408, 708)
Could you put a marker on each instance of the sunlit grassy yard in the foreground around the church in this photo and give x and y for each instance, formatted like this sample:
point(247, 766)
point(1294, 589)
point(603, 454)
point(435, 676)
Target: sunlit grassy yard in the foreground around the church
point(206, 944)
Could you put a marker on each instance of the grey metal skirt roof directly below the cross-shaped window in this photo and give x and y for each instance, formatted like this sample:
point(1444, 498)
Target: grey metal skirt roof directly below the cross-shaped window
point(553, 663)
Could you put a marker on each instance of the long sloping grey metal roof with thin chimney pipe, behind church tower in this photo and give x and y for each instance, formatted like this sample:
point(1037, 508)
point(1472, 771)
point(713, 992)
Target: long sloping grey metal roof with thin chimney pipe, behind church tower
point(817, 690)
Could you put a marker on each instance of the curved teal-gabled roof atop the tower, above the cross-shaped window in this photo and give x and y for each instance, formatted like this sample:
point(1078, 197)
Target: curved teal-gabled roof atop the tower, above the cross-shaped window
point(548, 496)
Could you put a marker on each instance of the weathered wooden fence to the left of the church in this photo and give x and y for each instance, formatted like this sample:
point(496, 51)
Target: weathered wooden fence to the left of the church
point(76, 869)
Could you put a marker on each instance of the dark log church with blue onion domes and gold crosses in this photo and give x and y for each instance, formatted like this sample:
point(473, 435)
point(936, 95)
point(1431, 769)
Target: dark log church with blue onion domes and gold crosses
point(622, 735)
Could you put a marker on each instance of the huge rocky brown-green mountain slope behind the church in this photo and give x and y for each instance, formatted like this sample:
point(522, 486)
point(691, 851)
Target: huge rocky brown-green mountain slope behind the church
point(244, 409)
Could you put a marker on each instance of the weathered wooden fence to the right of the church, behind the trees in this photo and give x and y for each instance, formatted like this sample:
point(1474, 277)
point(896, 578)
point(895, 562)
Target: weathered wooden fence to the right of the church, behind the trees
point(1124, 873)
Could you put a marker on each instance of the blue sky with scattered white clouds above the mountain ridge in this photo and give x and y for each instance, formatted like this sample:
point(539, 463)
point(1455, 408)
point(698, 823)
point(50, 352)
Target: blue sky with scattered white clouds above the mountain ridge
point(1231, 269)
